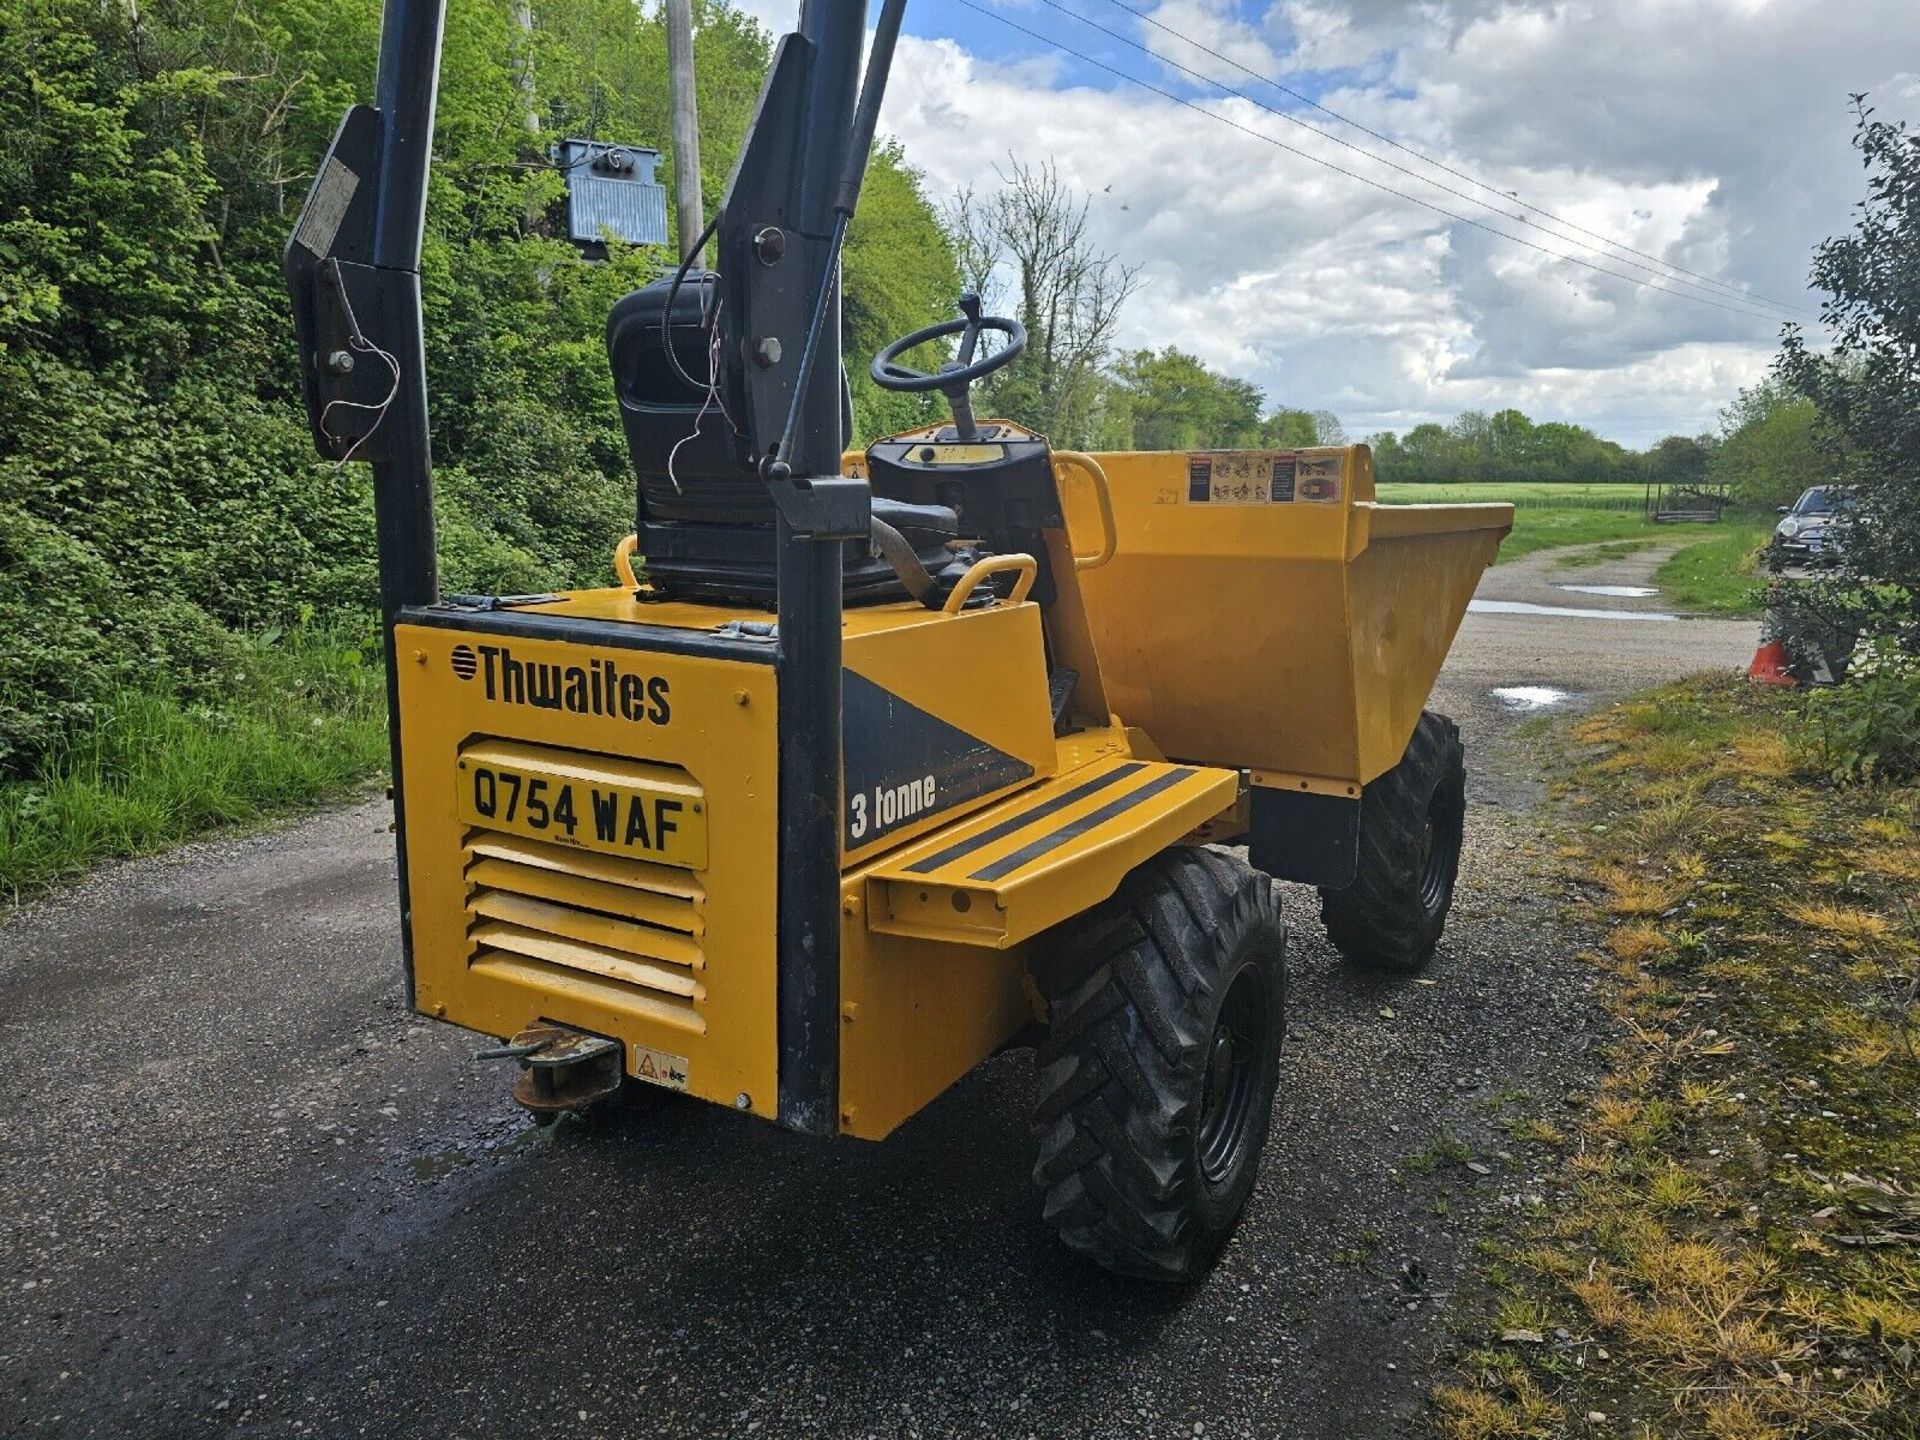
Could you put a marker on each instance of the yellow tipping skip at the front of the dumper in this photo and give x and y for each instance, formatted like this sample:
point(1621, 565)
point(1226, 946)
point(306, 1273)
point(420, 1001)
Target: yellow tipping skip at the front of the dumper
point(1264, 613)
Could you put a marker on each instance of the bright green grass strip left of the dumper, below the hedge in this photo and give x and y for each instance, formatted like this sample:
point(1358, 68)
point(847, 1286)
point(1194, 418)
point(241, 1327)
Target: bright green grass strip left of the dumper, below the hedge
point(306, 721)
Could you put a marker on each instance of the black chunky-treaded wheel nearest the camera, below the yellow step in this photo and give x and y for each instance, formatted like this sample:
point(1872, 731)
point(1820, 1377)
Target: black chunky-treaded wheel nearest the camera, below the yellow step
point(1159, 1072)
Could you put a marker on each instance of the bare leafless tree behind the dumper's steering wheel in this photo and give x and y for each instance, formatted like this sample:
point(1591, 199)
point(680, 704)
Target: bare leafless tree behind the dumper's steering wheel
point(1028, 247)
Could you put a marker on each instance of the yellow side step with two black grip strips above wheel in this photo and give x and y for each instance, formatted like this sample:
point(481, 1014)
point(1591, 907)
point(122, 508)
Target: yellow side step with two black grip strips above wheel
point(1044, 855)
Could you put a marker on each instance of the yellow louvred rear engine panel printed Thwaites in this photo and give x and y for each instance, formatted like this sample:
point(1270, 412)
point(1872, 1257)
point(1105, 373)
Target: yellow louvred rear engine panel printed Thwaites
point(573, 811)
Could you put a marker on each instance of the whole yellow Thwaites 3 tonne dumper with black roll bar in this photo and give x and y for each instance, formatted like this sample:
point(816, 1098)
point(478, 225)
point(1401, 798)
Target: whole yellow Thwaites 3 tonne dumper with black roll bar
point(875, 765)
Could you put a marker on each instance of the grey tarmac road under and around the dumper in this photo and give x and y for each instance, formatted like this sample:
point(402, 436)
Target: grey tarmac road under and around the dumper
point(251, 1195)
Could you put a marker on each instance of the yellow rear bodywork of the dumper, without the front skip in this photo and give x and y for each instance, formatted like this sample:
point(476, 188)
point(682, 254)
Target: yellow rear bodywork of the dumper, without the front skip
point(669, 944)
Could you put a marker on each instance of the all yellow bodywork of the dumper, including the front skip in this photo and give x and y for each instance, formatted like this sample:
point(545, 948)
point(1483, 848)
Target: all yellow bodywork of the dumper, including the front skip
point(592, 817)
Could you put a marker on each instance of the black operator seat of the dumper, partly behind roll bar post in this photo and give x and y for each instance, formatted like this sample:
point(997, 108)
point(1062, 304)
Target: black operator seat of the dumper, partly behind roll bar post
point(706, 521)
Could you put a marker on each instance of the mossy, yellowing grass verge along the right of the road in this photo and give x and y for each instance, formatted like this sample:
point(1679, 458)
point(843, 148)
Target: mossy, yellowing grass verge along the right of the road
point(1737, 1253)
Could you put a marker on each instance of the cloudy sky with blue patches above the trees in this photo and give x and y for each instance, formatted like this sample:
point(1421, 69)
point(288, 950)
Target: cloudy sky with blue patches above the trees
point(1704, 133)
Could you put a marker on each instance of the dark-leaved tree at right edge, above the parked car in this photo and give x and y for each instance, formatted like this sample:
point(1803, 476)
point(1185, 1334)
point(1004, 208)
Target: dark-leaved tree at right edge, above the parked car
point(1867, 391)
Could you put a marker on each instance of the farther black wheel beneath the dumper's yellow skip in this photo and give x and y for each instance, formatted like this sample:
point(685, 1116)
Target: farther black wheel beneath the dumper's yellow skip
point(1412, 825)
